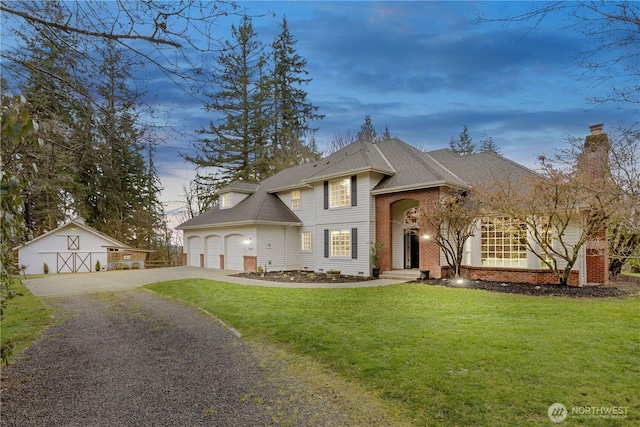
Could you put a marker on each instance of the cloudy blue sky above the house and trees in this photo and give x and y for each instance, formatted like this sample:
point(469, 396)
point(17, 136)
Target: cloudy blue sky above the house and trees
point(424, 69)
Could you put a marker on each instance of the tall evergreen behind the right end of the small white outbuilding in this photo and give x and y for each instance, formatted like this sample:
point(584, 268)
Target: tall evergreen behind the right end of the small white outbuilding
point(122, 192)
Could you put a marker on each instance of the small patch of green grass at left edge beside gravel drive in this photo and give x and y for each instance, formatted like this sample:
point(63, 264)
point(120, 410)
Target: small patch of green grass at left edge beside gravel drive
point(25, 317)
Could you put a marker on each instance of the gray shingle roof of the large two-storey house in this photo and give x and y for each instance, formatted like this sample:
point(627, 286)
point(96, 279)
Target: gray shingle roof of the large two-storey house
point(405, 167)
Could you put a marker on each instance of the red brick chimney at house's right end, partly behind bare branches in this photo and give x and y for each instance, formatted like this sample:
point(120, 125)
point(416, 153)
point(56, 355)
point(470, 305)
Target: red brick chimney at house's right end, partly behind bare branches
point(594, 164)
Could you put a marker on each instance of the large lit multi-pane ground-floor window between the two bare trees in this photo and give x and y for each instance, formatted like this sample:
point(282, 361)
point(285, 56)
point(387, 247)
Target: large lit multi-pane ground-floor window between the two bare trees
point(503, 242)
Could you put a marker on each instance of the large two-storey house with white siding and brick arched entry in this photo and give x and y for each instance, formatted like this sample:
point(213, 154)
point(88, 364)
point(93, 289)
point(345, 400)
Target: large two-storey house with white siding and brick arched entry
point(325, 215)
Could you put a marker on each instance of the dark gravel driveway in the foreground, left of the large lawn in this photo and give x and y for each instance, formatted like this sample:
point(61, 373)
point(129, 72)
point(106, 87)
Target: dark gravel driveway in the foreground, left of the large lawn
point(133, 358)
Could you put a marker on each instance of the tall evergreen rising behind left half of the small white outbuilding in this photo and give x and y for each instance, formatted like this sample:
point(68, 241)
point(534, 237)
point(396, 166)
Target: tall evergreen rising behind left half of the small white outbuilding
point(47, 198)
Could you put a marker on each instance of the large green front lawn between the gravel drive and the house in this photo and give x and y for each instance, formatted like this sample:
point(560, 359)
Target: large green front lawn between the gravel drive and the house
point(448, 356)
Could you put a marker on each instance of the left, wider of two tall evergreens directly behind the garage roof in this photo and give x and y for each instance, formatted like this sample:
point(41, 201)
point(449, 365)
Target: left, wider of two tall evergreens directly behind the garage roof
point(236, 145)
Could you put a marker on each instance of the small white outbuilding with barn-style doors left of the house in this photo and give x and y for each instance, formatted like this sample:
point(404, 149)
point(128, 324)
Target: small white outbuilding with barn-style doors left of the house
point(74, 247)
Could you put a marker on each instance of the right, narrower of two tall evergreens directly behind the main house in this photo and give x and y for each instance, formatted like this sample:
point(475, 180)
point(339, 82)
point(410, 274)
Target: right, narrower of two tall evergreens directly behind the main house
point(292, 112)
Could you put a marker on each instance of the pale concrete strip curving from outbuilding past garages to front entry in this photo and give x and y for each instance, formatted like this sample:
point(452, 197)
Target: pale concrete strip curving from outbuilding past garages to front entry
point(81, 283)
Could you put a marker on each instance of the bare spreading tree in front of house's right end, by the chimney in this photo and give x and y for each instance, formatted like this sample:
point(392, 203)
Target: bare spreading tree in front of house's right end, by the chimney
point(561, 212)
